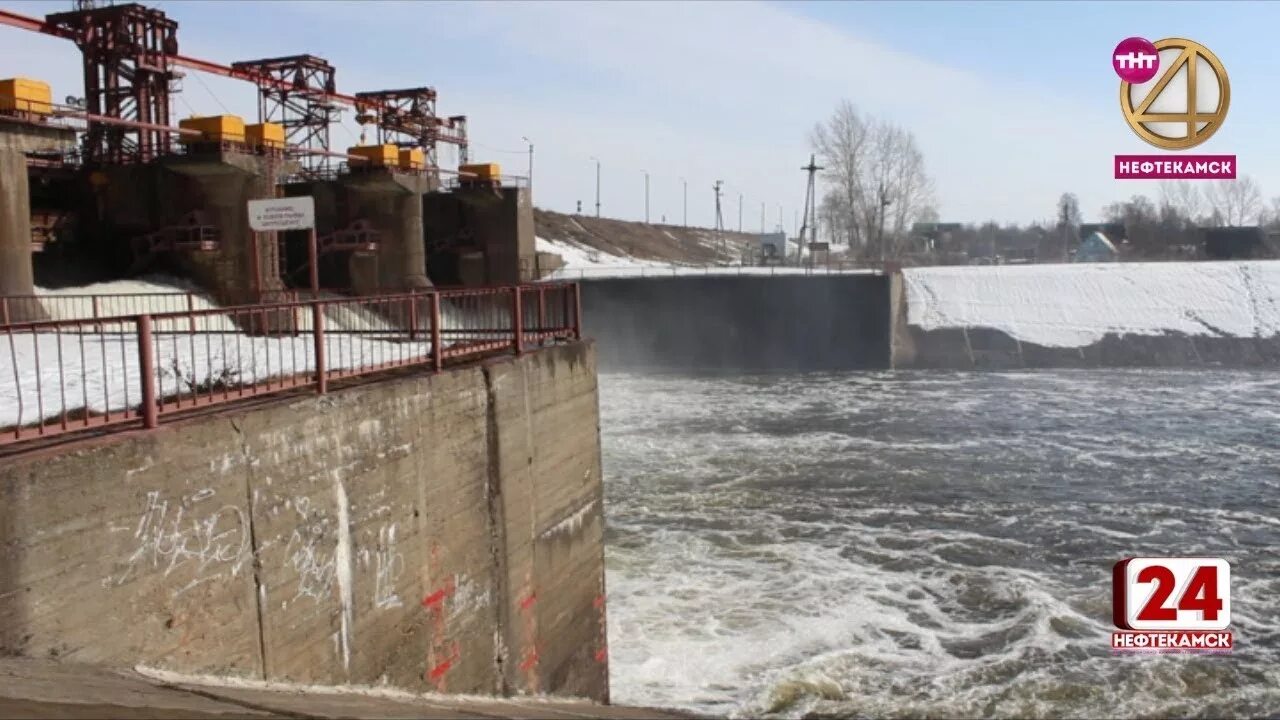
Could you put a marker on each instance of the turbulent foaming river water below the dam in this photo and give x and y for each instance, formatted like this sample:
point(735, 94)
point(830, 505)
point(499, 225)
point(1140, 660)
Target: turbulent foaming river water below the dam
point(932, 544)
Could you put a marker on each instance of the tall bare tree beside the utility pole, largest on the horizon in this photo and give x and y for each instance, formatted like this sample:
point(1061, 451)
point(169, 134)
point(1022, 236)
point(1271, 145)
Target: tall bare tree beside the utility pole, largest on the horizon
point(876, 176)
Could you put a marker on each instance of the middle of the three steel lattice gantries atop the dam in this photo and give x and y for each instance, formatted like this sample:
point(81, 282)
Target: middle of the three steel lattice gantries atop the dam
point(296, 93)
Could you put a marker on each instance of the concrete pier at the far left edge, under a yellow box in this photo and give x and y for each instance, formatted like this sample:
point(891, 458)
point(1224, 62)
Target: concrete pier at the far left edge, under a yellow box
point(17, 139)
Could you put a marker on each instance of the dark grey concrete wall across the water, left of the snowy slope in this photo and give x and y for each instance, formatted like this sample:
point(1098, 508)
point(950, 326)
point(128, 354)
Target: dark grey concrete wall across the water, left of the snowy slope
point(743, 323)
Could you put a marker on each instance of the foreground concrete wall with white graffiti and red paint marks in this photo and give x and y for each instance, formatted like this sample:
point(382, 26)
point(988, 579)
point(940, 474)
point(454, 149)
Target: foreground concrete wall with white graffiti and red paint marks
point(437, 534)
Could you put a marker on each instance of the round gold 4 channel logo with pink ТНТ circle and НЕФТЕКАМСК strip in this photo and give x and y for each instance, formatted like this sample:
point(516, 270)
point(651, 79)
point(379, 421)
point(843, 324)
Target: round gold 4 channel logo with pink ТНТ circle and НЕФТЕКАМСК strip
point(1174, 95)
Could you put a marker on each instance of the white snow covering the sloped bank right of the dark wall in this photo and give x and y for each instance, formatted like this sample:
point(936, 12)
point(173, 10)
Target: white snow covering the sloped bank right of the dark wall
point(1077, 306)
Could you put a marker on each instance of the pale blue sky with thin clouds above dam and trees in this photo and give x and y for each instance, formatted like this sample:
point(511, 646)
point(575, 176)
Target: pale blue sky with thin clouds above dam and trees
point(1013, 103)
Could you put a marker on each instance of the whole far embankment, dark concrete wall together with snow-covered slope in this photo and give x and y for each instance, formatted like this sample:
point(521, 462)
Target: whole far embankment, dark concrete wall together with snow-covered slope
point(1007, 317)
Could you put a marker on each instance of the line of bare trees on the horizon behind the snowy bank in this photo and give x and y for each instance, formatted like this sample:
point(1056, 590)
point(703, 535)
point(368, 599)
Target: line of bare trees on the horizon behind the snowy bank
point(879, 199)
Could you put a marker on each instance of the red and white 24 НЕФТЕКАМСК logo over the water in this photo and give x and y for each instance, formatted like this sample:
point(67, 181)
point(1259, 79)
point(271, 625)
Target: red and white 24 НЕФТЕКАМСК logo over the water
point(1172, 605)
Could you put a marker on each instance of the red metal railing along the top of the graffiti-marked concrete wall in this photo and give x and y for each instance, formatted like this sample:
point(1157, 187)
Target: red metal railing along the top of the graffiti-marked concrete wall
point(66, 376)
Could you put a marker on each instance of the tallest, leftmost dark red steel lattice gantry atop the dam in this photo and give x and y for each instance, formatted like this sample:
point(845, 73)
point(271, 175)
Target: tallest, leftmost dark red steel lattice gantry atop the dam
point(127, 52)
